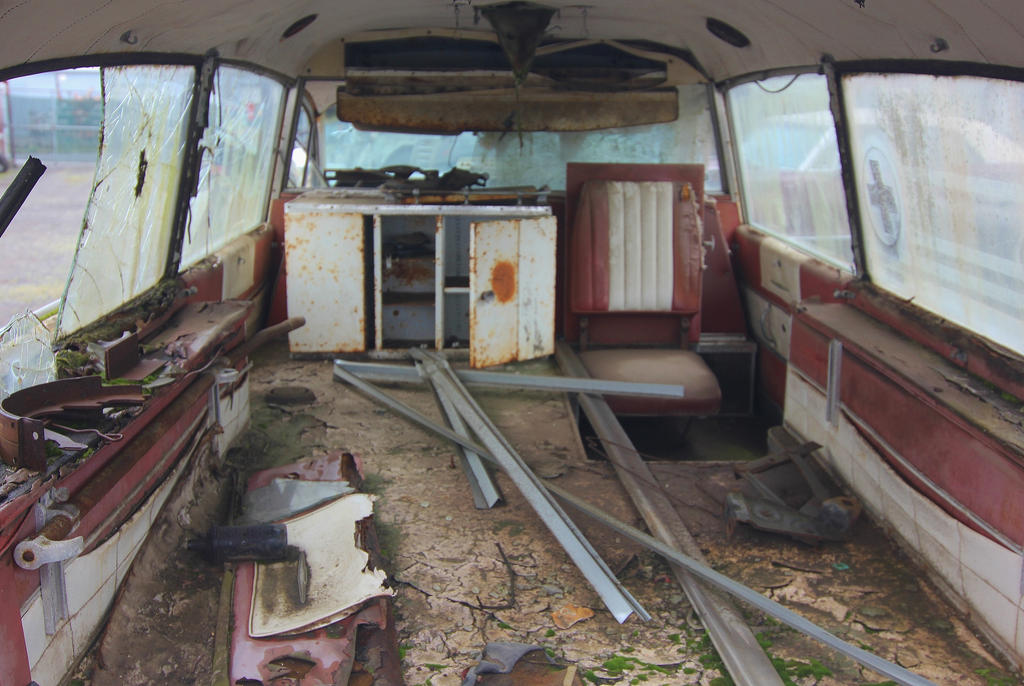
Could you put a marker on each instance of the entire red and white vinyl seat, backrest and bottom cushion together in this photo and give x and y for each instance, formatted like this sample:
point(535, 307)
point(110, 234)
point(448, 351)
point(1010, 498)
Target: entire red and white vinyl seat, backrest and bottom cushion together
point(635, 260)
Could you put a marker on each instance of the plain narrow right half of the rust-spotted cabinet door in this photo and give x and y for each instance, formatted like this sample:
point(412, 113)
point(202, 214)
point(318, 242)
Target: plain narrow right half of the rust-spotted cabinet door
point(537, 288)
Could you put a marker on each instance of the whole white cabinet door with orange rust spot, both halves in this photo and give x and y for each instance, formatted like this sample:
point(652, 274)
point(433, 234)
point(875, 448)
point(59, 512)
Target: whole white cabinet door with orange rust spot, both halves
point(511, 290)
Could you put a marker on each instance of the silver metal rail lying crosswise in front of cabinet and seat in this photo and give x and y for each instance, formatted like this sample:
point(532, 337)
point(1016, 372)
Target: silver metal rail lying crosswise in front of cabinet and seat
point(400, 373)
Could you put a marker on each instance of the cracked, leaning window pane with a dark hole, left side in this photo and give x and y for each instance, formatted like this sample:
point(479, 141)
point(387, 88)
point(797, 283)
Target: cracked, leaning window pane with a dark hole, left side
point(122, 249)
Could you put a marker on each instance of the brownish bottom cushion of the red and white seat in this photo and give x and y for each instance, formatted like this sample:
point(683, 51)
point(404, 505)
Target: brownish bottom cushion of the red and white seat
point(686, 368)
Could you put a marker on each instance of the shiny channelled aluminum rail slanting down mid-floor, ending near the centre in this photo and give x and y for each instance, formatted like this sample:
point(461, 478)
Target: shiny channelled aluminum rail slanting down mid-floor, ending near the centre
point(619, 602)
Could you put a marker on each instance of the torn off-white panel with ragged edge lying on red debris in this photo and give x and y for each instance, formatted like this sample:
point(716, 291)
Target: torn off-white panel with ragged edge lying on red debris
point(339, 580)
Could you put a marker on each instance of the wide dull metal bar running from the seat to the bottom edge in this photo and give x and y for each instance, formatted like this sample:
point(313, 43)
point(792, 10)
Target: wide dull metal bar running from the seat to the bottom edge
point(743, 656)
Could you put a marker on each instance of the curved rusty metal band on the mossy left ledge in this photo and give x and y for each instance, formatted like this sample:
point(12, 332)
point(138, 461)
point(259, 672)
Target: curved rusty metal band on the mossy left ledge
point(23, 439)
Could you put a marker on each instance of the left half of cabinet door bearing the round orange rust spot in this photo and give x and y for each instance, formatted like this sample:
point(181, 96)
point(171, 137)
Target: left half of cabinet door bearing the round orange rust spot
point(494, 285)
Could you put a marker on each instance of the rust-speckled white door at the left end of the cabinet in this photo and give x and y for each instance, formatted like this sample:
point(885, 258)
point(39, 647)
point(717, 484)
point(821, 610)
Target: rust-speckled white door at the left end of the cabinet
point(324, 253)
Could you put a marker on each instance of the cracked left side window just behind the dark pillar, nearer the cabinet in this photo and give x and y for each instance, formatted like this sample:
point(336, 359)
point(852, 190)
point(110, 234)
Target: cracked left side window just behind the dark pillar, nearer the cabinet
point(238, 157)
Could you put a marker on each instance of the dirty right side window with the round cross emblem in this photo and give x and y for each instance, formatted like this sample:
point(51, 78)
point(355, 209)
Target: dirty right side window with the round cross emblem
point(940, 163)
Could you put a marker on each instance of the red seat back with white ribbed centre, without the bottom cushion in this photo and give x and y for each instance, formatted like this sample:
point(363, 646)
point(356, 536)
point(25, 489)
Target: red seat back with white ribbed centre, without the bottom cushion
point(634, 261)
